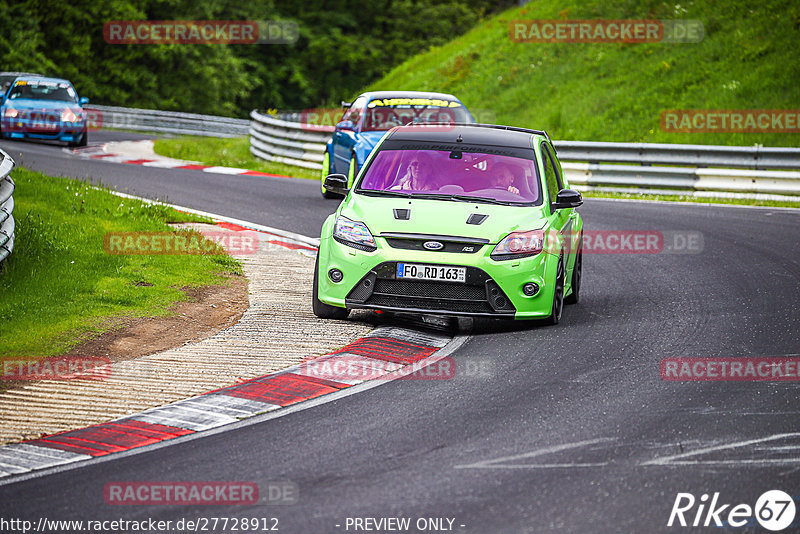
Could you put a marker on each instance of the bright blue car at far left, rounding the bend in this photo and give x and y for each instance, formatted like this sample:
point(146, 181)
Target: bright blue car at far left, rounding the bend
point(35, 107)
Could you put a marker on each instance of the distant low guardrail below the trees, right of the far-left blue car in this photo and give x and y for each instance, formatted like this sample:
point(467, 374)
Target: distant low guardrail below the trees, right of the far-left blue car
point(152, 120)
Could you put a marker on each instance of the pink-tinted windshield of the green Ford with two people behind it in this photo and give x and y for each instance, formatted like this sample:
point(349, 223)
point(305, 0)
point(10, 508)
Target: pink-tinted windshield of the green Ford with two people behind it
point(504, 178)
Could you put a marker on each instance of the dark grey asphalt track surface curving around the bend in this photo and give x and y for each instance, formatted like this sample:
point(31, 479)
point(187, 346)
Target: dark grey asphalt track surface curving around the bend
point(543, 429)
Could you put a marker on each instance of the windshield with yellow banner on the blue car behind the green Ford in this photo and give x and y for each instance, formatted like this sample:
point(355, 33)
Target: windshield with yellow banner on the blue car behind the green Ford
point(387, 113)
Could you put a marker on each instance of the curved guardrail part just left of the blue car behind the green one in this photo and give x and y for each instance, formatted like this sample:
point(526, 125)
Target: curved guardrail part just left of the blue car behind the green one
point(289, 142)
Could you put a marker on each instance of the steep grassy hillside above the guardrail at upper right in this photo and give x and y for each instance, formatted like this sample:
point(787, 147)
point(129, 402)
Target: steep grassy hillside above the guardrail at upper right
point(616, 92)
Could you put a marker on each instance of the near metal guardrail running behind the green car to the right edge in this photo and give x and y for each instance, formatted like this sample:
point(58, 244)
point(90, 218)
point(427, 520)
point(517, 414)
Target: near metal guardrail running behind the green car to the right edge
point(742, 170)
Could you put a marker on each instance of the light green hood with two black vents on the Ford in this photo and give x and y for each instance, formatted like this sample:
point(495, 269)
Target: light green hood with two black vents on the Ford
point(441, 217)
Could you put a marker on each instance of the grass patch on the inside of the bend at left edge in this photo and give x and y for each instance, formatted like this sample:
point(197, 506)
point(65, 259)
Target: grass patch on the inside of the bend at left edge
point(59, 287)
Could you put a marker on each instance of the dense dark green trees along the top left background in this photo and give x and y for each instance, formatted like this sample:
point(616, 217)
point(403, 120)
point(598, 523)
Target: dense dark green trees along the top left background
point(342, 46)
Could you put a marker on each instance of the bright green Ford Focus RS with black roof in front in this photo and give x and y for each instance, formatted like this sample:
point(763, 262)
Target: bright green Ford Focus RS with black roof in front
point(474, 220)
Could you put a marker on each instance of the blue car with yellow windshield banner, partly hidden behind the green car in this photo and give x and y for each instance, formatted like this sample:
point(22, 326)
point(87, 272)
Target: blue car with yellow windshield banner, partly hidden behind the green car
point(371, 115)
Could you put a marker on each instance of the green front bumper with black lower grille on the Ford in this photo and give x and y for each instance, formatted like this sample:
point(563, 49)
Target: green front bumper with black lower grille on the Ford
point(492, 288)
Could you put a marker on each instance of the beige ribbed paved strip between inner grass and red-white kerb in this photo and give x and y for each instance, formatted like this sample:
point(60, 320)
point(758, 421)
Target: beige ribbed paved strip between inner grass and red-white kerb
point(277, 331)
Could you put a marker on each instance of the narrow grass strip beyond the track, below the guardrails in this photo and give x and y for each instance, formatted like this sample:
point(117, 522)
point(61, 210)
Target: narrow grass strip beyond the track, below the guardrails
point(226, 152)
